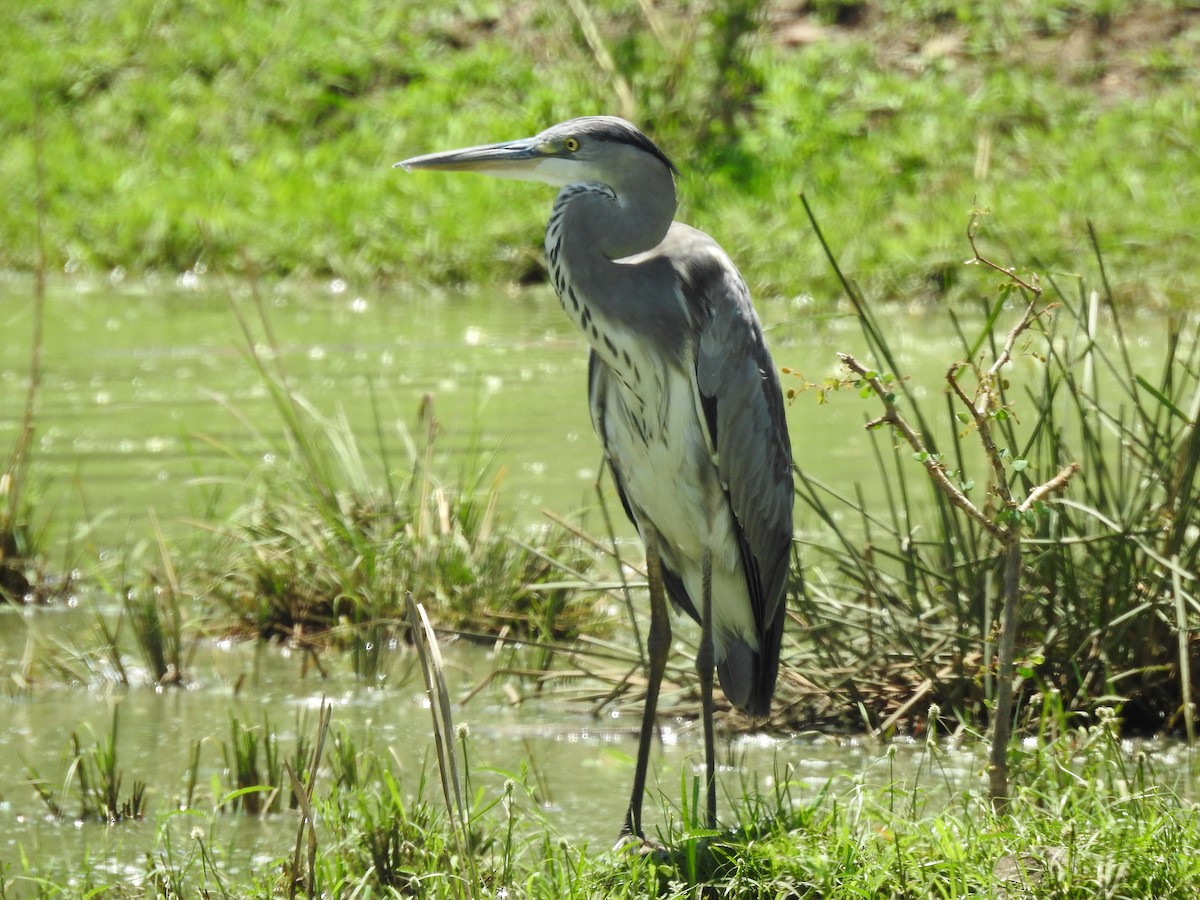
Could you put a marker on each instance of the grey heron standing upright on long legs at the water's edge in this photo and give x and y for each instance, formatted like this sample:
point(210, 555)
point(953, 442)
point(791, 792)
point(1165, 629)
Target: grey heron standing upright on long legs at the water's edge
point(685, 399)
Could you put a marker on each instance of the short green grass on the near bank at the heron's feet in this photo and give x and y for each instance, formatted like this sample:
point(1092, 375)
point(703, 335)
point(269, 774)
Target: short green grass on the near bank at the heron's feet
point(1089, 818)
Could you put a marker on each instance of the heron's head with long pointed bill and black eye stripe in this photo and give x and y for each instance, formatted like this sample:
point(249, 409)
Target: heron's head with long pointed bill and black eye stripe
point(598, 148)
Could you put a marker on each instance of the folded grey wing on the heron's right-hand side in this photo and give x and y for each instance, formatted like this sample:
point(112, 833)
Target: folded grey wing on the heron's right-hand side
point(743, 410)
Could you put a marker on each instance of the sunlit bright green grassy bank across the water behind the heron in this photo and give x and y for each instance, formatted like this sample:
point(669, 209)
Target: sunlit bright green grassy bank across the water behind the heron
point(263, 134)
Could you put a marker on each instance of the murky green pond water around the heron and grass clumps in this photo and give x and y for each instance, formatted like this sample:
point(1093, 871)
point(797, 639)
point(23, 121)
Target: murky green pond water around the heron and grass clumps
point(149, 403)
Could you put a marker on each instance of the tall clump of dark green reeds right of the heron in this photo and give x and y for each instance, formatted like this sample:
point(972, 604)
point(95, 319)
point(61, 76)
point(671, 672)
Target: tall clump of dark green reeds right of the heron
point(911, 599)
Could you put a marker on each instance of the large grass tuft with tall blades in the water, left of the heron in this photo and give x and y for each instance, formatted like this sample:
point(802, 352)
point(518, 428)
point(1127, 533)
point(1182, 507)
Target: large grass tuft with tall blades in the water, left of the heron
point(323, 555)
